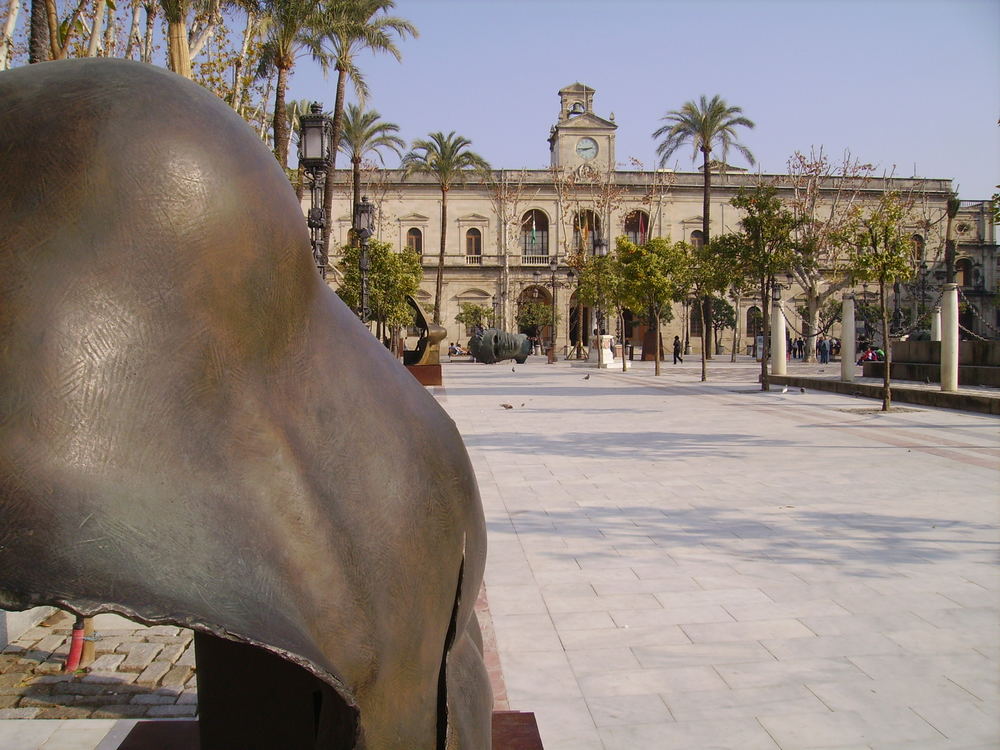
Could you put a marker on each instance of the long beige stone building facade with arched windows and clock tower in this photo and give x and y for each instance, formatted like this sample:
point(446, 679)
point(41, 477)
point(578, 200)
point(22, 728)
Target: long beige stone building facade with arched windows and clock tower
point(503, 231)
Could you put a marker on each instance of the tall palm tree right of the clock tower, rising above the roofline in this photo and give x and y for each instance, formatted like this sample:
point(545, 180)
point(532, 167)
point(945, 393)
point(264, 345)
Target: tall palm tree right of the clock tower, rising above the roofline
point(704, 124)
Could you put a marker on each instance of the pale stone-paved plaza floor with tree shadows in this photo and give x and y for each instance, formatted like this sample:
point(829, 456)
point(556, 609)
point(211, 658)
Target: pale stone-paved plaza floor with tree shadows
point(687, 566)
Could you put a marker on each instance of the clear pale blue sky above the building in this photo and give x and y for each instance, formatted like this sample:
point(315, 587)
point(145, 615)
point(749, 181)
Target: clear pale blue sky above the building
point(907, 84)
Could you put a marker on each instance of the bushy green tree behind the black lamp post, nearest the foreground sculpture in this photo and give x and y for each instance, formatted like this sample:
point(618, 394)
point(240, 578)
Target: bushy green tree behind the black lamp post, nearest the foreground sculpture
point(391, 277)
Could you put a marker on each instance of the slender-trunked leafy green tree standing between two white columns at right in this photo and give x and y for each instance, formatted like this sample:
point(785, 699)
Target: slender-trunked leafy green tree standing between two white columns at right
point(880, 251)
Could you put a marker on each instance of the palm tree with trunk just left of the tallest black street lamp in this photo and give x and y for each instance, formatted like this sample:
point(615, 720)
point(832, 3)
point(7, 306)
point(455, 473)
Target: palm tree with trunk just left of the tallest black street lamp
point(292, 27)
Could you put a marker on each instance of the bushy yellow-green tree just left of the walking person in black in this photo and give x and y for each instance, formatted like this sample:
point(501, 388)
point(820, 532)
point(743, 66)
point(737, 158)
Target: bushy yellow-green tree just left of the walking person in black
point(653, 277)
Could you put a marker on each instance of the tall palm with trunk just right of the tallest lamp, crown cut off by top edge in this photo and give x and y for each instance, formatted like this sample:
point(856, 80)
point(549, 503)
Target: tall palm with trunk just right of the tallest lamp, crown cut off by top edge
point(349, 27)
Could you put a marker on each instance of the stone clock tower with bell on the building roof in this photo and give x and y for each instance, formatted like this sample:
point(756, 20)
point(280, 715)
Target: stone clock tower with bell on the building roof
point(580, 137)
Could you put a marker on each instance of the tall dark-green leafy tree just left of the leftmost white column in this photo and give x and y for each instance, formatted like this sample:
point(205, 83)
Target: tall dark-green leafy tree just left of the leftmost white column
point(762, 250)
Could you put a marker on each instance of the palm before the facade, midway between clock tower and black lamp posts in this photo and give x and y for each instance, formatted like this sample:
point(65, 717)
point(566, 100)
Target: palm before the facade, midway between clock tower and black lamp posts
point(447, 158)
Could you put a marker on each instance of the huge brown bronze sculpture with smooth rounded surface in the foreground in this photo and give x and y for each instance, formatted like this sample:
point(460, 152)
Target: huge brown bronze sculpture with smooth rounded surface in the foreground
point(195, 430)
